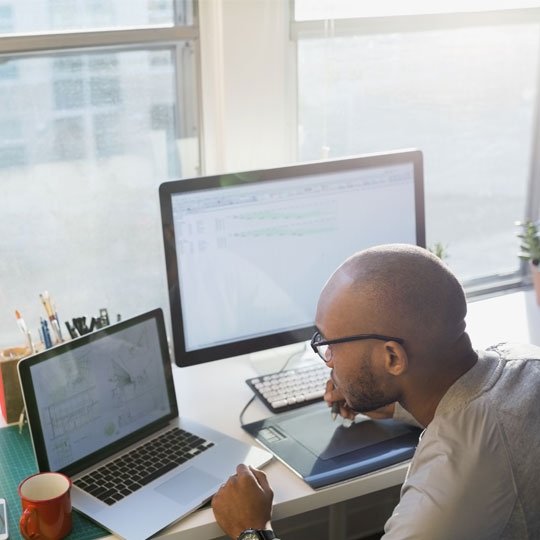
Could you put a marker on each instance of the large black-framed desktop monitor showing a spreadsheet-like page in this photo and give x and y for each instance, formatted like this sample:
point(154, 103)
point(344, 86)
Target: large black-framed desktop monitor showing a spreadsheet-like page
point(247, 254)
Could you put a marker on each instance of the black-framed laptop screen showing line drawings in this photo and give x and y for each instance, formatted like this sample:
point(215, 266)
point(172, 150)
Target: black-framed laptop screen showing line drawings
point(90, 395)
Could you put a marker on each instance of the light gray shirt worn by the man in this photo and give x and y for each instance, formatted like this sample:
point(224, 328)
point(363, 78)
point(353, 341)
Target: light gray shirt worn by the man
point(476, 471)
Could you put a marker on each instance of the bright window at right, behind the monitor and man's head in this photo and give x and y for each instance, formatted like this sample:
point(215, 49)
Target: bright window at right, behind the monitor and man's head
point(462, 88)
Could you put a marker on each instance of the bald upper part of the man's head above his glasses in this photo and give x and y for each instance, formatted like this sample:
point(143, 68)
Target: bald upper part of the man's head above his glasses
point(398, 290)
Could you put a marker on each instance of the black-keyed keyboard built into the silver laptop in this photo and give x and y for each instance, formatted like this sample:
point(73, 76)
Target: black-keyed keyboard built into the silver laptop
point(115, 480)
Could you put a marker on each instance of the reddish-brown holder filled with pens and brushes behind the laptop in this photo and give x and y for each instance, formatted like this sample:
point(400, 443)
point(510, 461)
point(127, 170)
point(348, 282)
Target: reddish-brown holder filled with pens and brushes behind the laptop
point(50, 334)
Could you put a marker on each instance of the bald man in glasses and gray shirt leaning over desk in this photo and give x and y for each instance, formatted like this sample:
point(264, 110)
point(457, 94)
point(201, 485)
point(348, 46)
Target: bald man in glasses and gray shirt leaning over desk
point(474, 473)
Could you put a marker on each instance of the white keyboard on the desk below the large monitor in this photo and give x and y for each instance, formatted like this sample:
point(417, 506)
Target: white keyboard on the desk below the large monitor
point(291, 388)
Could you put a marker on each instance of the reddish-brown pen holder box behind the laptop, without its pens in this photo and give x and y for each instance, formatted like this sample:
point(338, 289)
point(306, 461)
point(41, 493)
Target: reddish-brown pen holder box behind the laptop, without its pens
point(11, 399)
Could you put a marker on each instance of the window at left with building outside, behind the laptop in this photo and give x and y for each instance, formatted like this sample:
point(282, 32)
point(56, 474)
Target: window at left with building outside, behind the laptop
point(92, 123)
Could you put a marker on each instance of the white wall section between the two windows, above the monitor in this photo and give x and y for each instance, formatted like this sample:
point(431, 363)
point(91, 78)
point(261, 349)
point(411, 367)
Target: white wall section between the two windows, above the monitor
point(248, 116)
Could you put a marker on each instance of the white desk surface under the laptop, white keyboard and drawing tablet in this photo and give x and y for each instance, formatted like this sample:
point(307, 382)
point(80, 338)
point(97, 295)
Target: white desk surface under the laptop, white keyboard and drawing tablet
point(215, 394)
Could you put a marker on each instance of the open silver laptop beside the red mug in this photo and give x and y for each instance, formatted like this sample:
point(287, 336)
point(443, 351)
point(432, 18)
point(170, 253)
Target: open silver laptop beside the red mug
point(105, 401)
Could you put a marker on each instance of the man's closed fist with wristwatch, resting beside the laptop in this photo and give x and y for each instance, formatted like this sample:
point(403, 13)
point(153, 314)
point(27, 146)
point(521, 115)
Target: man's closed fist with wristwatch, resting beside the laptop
point(244, 502)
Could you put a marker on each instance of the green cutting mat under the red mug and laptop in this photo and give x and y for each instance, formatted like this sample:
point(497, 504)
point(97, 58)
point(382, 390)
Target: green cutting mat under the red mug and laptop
point(16, 463)
